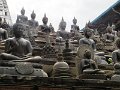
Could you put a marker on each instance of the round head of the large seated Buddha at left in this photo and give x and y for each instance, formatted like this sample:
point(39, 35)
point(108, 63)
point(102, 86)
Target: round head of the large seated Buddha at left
point(18, 30)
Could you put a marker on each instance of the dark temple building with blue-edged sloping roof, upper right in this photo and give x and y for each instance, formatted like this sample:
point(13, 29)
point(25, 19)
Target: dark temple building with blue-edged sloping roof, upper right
point(110, 16)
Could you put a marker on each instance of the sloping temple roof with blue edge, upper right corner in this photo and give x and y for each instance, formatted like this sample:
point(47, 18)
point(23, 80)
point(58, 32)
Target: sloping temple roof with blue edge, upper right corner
point(109, 15)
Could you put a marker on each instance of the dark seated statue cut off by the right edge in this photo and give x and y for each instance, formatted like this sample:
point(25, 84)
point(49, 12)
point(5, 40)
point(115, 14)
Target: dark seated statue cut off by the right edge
point(116, 53)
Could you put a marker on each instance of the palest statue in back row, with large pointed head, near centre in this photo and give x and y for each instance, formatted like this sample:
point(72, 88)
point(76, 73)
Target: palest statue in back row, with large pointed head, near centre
point(61, 32)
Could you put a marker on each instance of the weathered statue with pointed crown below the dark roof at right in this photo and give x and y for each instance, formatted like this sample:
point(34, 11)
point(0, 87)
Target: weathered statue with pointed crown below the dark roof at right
point(109, 36)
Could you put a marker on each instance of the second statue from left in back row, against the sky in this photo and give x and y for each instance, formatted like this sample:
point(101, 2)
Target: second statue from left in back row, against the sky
point(33, 23)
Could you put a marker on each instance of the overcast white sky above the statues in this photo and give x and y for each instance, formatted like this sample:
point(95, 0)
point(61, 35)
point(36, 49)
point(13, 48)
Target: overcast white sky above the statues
point(83, 10)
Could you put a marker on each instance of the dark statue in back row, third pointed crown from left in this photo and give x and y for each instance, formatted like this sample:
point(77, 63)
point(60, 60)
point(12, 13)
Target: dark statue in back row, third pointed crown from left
point(44, 28)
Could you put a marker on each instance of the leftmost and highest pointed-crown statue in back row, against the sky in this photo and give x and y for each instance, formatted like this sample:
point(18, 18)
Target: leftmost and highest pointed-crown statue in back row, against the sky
point(22, 18)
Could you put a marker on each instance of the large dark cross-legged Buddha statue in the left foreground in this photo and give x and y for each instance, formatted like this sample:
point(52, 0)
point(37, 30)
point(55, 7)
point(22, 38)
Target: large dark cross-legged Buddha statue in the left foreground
point(17, 48)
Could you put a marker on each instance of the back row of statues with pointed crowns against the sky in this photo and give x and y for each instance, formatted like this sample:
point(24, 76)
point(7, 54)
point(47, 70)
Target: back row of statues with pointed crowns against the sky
point(45, 28)
